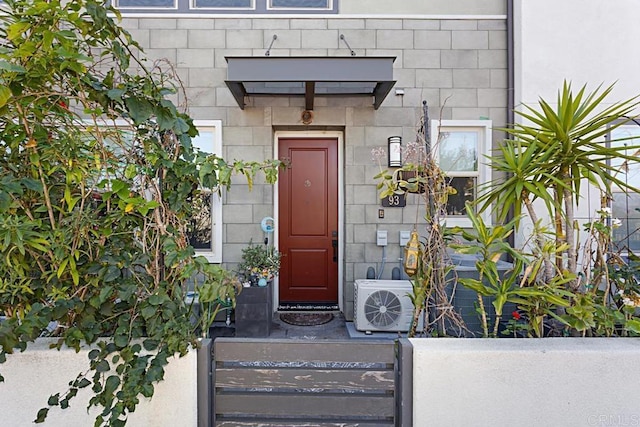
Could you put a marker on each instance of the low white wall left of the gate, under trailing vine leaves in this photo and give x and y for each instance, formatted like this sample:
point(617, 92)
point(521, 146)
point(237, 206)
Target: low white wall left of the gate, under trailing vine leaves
point(31, 377)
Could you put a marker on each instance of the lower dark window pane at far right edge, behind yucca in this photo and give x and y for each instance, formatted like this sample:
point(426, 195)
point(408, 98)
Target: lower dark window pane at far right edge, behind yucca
point(625, 208)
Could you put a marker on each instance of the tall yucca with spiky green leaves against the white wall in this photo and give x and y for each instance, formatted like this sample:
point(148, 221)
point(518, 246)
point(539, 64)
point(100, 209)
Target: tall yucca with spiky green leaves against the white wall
point(549, 155)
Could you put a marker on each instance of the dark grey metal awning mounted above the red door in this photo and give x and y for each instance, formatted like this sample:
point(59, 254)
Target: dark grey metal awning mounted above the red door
point(310, 77)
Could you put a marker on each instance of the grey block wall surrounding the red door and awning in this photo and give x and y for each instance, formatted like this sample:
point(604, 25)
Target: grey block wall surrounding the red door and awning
point(459, 66)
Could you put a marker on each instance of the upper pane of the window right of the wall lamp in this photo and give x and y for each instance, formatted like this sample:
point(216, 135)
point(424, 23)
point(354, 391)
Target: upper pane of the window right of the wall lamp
point(458, 151)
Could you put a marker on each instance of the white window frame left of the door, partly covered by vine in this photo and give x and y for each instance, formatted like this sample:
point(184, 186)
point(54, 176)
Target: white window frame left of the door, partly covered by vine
point(213, 255)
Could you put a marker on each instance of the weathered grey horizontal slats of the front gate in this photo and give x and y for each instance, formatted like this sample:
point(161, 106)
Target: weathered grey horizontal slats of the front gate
point(304, 383)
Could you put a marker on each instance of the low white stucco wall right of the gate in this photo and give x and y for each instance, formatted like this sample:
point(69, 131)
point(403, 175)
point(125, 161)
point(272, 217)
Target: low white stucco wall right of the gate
point(526, 382)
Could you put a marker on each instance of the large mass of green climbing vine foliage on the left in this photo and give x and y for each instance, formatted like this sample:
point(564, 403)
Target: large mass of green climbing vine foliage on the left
point(96, 176)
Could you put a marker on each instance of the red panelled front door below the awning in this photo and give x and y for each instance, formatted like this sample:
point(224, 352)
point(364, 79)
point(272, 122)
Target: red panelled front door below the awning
point(308, 236)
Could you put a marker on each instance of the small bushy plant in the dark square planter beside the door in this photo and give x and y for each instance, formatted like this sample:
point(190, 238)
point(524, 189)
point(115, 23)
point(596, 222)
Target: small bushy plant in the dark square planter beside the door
point(260, 264)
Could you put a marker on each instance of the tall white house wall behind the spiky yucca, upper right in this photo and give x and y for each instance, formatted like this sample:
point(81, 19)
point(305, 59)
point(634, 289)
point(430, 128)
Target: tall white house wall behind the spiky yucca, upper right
point(582, 41)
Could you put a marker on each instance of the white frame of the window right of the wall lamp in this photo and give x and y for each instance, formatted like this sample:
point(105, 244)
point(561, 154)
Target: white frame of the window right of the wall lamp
point(482, 175)
